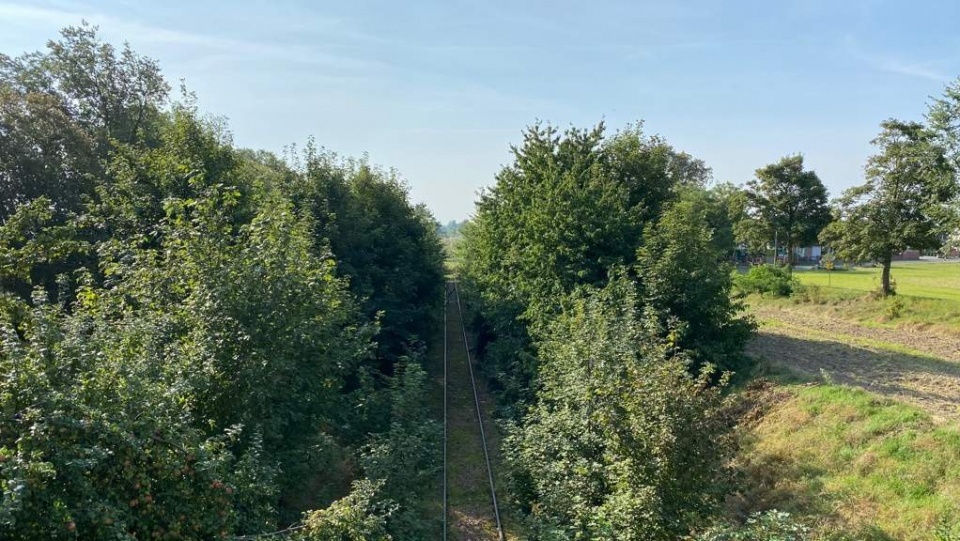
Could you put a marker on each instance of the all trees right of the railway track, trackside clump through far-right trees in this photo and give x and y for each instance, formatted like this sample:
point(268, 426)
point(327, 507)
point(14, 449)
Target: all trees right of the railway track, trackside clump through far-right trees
point(600, 268)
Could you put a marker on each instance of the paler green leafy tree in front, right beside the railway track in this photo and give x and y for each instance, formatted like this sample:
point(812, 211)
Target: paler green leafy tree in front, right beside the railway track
point(623, 442)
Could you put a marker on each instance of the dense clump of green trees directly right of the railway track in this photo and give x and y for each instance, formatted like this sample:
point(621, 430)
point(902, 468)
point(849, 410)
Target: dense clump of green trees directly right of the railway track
point(605, 319)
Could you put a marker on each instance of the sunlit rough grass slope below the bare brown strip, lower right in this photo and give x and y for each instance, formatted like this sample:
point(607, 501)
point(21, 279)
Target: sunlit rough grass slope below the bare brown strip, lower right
point(852, 464)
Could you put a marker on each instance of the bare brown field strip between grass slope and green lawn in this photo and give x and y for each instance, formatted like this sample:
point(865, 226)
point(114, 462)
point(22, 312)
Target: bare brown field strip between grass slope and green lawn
point(918, 367)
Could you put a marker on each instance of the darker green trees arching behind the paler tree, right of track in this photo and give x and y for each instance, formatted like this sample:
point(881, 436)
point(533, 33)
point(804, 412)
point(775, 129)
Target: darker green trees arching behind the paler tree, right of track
point(568, 209)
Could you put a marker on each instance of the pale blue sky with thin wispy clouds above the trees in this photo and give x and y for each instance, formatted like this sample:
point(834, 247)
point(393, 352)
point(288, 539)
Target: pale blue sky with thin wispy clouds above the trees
point(440, 89)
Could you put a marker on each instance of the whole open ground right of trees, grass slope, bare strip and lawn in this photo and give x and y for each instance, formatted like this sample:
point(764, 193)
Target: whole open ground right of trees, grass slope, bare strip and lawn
point(869, 448)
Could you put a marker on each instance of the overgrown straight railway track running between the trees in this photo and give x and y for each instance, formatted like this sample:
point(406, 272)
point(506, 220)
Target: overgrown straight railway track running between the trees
point(453, 317)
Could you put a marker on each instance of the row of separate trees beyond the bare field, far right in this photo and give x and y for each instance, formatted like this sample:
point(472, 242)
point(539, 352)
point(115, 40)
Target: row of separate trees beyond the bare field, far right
point(909, 199)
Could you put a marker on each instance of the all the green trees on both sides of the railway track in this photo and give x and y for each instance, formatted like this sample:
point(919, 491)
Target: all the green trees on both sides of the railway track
point(203, 341)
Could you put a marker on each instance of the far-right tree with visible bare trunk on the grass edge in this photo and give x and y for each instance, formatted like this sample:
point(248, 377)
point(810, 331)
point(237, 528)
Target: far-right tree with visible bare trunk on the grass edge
point(902, 204)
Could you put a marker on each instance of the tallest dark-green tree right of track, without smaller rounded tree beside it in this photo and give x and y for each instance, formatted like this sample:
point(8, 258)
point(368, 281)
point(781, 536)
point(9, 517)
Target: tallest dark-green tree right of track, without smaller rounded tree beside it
point(568, 208)
